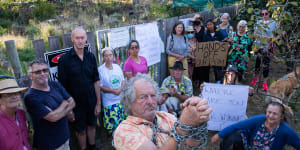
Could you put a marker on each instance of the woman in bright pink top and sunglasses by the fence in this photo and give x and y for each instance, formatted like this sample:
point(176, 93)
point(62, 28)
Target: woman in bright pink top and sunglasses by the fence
point(134, 62)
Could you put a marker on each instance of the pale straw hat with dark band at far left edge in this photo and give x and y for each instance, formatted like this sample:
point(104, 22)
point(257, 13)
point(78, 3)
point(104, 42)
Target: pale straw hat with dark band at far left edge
point(10, 86)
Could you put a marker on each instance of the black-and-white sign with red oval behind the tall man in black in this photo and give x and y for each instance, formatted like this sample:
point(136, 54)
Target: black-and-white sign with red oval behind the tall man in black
point(52, 59)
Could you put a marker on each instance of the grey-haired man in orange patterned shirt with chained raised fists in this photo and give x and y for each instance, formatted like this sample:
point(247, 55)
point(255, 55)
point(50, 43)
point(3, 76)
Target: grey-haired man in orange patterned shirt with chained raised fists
point(147, 129)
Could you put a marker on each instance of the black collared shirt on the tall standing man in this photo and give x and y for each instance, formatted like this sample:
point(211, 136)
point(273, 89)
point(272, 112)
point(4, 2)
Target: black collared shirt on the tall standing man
point(78, 77)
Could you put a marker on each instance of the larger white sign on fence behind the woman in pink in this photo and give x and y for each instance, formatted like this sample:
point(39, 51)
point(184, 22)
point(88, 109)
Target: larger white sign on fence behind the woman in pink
point(150, 42)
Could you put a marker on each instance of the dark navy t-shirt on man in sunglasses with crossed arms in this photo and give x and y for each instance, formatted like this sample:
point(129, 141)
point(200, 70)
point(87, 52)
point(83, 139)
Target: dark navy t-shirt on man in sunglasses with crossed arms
point(47, 135)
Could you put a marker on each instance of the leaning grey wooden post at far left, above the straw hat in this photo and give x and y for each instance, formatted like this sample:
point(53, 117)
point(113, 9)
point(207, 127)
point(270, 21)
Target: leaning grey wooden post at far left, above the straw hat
point(14, 58)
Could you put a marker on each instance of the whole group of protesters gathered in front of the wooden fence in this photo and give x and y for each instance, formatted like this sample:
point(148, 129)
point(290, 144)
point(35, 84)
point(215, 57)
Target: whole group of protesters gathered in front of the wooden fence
point(138, 113)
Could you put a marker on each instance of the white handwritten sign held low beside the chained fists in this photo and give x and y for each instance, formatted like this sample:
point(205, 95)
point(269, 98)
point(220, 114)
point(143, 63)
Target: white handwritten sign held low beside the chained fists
point(229, 103)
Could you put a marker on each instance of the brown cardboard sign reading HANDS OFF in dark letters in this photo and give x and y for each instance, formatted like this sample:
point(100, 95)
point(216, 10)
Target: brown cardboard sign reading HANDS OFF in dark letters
point(211, 54)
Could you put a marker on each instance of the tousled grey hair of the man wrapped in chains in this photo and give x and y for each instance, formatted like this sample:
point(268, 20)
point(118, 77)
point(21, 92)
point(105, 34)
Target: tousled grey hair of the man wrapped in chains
point(128, 94)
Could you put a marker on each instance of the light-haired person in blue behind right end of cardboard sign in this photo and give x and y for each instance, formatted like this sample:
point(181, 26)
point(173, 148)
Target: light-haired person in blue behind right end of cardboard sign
point(224, 27)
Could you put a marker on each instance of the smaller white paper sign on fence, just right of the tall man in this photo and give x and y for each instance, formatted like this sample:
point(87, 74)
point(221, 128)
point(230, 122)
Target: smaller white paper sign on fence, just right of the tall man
point(118, 37)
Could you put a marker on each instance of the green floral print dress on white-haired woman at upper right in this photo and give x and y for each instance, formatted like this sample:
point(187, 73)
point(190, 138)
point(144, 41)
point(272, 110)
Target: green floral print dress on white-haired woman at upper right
point(238, 54)
